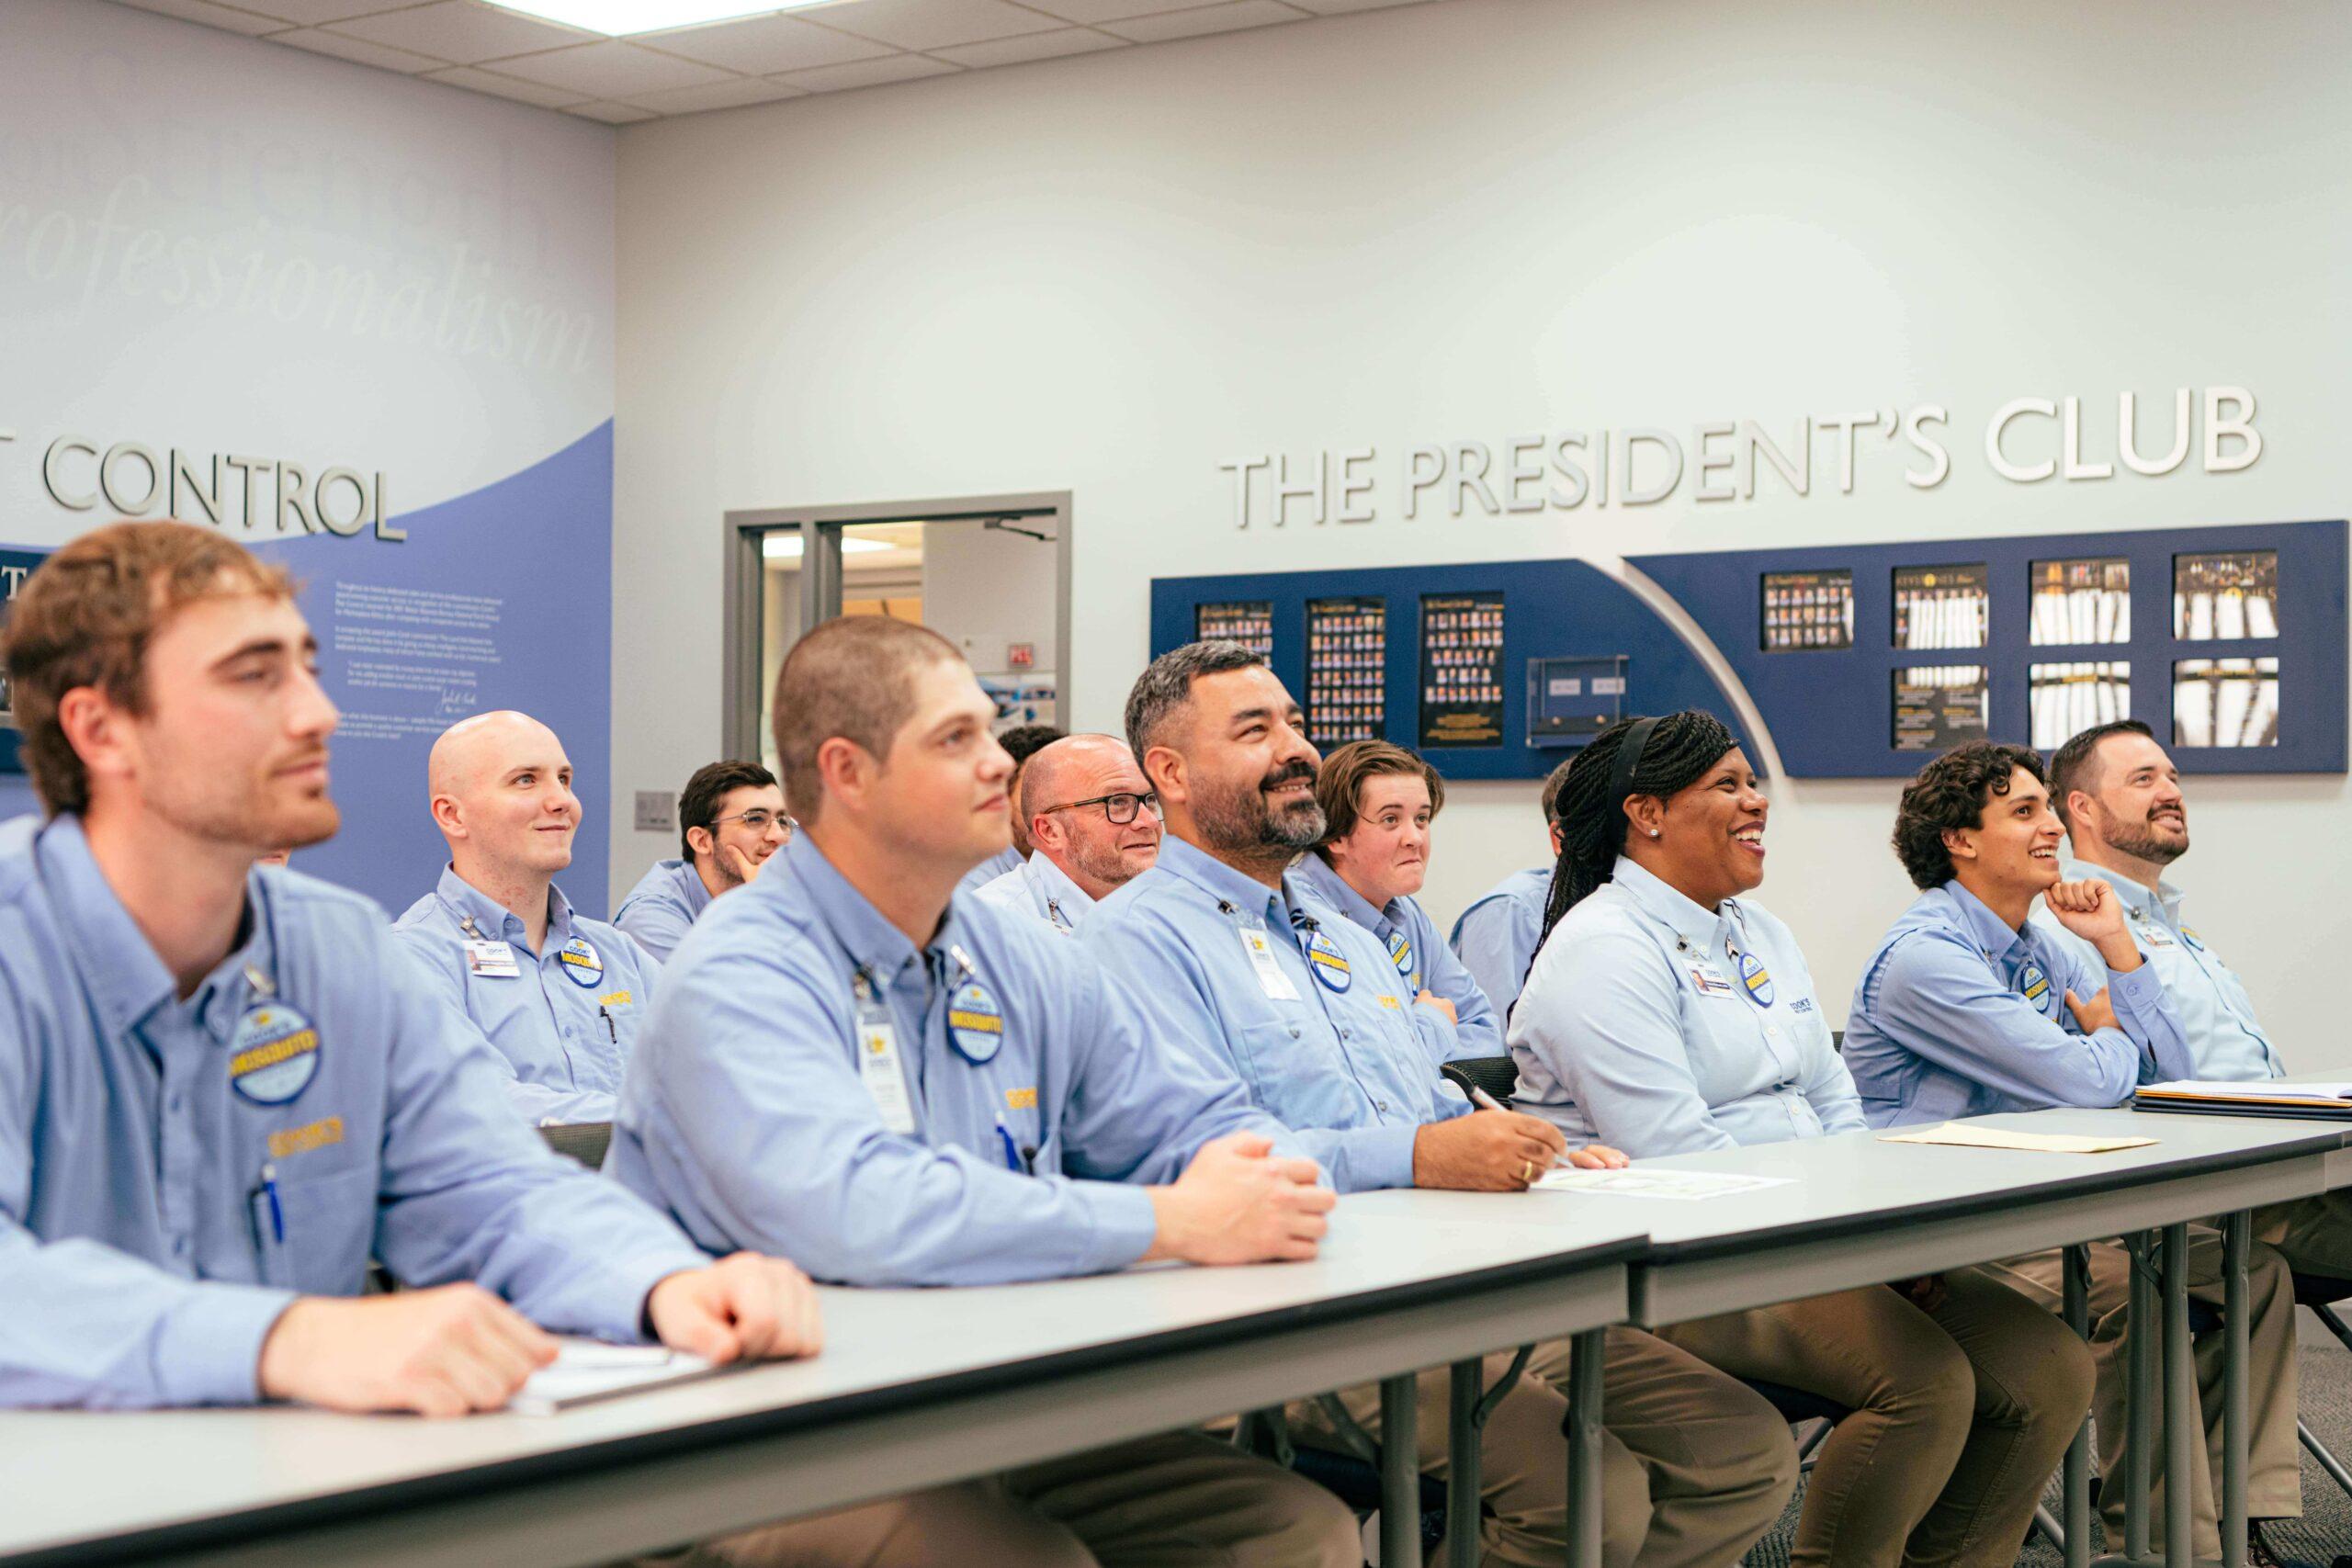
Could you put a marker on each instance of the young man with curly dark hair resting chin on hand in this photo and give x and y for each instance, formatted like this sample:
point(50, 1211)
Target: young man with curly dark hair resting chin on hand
point(1970, 1007)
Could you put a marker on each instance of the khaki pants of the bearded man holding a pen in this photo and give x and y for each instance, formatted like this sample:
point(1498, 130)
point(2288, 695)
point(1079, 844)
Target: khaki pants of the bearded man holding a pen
point(1695, 1468)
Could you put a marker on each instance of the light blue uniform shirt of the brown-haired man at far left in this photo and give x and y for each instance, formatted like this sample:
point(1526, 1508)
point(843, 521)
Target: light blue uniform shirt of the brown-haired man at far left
point(140, 1257)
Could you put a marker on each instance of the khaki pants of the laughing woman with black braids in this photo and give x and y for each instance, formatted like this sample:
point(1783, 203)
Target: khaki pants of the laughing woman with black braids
point(1960, 1416)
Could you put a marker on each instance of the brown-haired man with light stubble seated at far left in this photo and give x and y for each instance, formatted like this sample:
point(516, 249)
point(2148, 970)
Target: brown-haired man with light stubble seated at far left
point(222, 1094)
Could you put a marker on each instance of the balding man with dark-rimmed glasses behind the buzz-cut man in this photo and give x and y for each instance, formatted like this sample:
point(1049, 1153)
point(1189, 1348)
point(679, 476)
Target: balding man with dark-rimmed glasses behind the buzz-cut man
point(1095, 826)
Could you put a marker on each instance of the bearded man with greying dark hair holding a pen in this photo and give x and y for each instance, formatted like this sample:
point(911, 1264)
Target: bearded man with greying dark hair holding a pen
point(1227, 956)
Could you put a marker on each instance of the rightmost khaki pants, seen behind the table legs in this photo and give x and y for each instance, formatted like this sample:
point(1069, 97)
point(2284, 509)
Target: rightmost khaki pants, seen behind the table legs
point(2273, 1470)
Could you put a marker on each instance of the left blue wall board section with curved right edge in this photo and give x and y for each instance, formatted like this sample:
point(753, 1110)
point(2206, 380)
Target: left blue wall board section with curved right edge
point(1551, 610)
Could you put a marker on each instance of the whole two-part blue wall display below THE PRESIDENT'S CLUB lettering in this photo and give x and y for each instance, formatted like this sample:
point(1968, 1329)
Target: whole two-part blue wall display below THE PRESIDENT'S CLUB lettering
point(1826, 688)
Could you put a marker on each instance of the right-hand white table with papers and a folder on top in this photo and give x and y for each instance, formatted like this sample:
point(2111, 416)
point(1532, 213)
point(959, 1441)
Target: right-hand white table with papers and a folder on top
point(1866, 1212)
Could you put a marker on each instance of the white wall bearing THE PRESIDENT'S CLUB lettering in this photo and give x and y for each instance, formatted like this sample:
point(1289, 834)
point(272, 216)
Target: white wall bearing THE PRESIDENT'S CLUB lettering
point(1485, 217)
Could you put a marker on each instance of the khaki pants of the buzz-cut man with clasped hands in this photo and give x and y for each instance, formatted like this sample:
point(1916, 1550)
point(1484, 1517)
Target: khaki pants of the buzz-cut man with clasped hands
point(1180, 1501)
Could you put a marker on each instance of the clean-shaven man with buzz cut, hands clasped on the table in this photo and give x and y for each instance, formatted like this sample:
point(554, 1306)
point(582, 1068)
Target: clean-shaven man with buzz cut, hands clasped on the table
point(921, 1092)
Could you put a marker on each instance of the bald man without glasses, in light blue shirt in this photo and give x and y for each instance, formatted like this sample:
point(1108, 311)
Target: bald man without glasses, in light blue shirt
point(556, 993)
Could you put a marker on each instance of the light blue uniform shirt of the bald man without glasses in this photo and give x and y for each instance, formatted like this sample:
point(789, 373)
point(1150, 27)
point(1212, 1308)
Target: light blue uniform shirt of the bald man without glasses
point(563, 1019)
